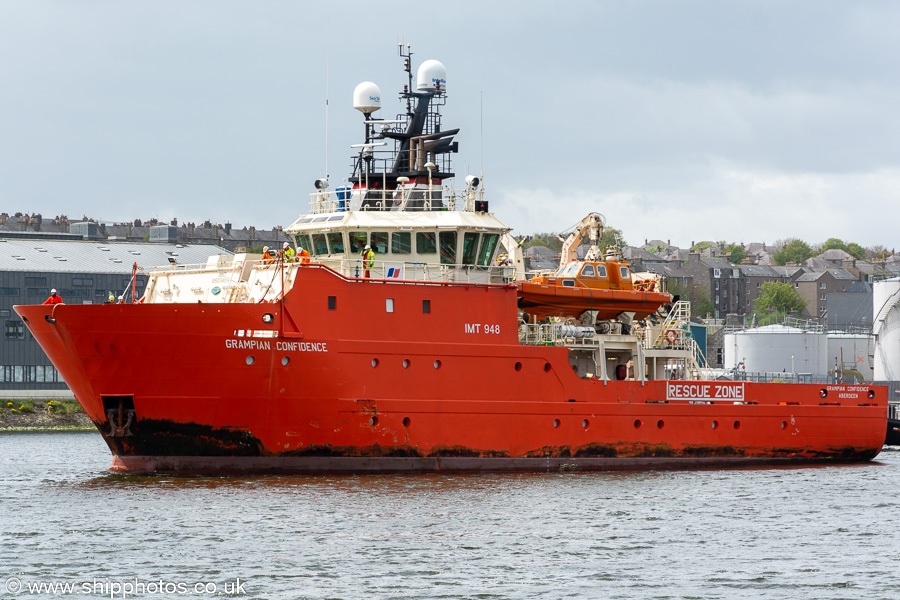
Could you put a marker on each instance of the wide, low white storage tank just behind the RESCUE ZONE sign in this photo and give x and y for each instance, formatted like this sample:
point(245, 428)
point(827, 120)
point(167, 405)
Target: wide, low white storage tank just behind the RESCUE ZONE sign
point(777, 349)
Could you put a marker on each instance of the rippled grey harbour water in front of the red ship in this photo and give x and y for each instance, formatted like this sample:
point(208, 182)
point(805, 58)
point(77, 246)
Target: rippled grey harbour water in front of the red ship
point(828, 532)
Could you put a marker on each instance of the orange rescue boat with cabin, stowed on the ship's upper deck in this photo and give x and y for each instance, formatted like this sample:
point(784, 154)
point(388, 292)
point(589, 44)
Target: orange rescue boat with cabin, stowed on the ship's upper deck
point(602, 286)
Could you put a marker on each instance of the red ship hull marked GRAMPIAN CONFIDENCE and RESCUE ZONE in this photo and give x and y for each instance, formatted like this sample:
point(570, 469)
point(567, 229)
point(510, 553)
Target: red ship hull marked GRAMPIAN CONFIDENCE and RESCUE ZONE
point(357, 376)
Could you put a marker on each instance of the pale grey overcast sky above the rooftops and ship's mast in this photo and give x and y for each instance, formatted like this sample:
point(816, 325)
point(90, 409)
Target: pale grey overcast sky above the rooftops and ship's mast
point(682, 121)
